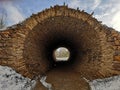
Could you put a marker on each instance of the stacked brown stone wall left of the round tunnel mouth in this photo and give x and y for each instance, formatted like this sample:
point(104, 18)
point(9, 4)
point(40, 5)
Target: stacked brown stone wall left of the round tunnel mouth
point(11, 48)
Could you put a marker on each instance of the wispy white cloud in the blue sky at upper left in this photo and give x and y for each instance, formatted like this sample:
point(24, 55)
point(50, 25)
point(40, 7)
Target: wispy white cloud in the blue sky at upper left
point(13, 13)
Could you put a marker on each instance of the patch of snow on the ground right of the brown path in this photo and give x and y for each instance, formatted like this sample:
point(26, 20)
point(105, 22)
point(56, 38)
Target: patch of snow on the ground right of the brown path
point(112, 83)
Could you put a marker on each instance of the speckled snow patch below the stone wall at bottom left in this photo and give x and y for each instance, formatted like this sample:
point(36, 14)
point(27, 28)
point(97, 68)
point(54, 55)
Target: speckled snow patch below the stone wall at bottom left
point(10, 80)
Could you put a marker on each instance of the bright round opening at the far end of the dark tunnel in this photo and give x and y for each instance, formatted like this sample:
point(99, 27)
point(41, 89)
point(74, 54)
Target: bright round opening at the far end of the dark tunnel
point(61, 54)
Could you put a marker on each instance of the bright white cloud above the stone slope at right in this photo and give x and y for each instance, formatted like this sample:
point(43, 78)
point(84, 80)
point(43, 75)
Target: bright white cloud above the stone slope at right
point(110, 14)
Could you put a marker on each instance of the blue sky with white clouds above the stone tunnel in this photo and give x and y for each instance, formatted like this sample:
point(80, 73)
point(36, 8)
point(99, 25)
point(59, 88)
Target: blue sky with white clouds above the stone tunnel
point(107, 11)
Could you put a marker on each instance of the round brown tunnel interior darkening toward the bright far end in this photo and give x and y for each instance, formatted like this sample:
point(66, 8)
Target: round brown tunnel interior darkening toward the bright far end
point(79, 38)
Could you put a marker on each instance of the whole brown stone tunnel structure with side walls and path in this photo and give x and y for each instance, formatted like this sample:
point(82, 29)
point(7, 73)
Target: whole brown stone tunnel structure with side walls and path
point(95, 48)
